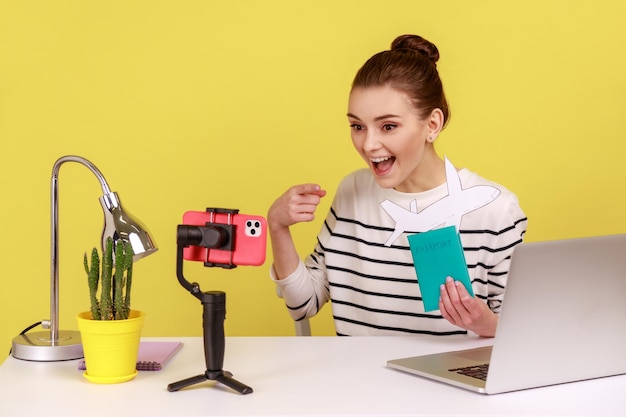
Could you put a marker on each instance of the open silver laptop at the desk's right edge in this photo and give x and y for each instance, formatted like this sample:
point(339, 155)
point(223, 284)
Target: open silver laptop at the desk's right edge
point(563, 319)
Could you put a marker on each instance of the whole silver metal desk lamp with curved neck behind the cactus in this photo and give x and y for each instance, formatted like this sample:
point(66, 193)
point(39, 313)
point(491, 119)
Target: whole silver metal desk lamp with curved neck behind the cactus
point(59, 345)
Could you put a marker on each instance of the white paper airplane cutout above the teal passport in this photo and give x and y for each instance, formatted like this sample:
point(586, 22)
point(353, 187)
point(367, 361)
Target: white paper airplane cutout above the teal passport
point(445, 212)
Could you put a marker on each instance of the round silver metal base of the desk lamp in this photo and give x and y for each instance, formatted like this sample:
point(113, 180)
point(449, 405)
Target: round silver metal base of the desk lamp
point(38, 347)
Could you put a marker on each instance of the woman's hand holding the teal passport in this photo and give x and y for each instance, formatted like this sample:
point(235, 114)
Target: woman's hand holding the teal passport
point(461, 309)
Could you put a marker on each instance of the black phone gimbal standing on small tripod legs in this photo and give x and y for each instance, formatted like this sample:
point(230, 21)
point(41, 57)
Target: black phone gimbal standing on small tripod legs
point(213, 303)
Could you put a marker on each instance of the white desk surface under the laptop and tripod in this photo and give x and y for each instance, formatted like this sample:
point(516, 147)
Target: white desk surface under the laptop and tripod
point(312, 376)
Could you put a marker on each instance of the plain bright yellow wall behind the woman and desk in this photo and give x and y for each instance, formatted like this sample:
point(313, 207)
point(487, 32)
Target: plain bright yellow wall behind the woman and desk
point(189, 104)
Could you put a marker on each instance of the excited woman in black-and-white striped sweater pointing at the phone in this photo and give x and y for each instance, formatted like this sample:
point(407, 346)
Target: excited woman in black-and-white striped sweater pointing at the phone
point(361, 263)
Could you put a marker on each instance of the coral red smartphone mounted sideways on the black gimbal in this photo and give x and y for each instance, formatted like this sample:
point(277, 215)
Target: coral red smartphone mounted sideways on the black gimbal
point(249, 238)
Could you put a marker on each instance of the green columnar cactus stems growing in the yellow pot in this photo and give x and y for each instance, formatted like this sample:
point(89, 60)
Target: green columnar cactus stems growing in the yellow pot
point(115, 286)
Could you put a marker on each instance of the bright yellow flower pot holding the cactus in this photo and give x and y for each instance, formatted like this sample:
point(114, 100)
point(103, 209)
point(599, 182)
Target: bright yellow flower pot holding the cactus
point(110, 347)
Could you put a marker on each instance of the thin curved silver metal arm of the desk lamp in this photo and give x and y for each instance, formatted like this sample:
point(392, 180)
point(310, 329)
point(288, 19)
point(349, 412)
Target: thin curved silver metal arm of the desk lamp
point(54, 237)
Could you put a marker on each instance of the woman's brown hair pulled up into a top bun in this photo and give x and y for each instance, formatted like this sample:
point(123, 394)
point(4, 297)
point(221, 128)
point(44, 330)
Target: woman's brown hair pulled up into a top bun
point(409, 66)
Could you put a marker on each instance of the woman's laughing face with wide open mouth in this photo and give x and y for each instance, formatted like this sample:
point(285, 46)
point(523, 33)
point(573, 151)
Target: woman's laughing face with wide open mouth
point(392, 138)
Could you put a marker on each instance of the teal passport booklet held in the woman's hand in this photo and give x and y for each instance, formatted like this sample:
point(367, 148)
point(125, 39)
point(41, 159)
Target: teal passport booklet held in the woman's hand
point(438, 254)
